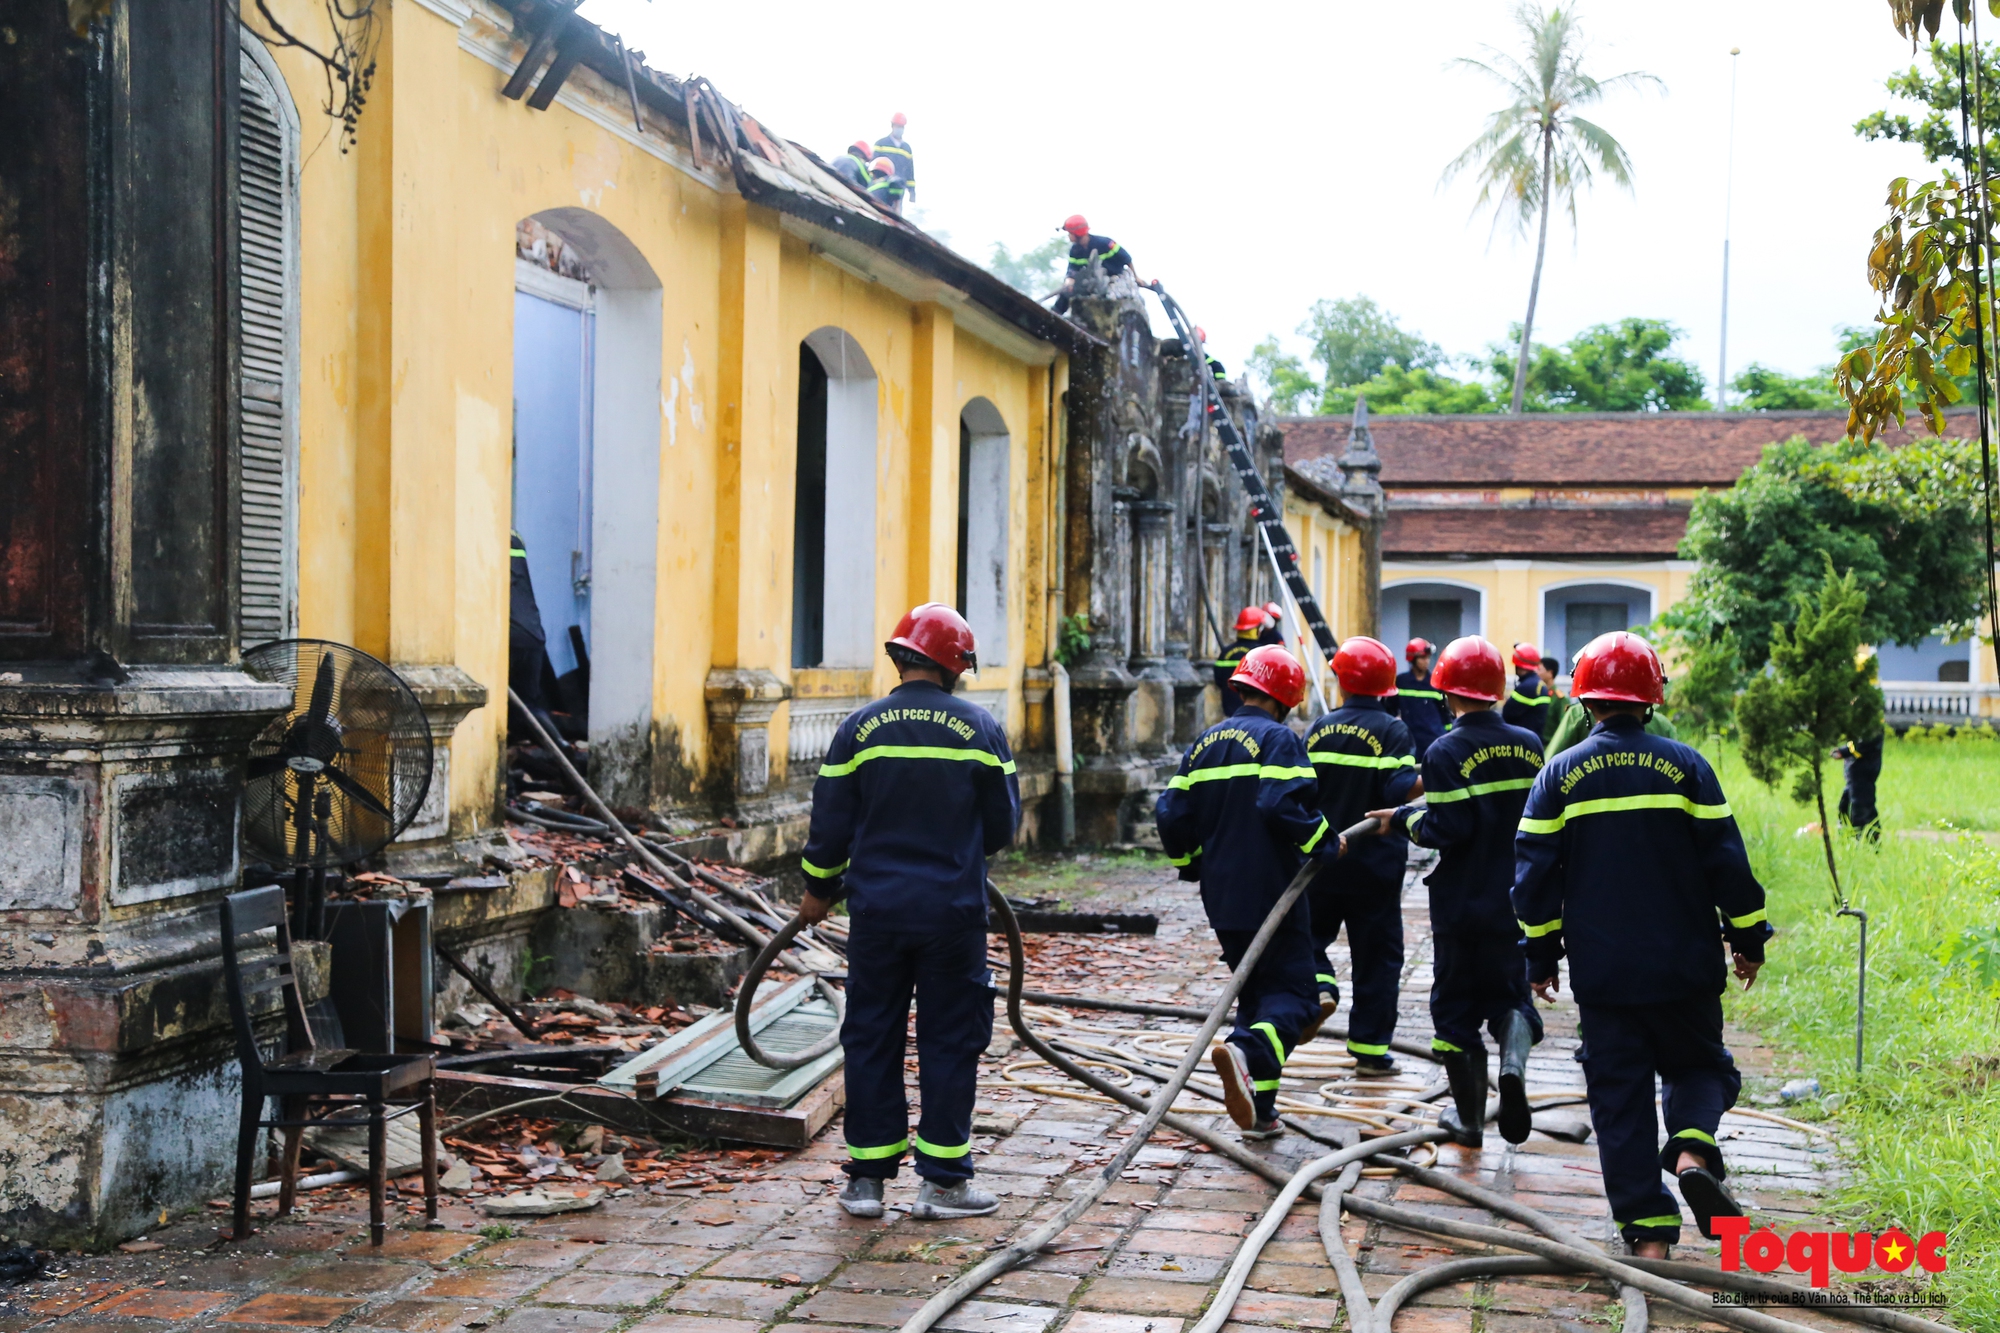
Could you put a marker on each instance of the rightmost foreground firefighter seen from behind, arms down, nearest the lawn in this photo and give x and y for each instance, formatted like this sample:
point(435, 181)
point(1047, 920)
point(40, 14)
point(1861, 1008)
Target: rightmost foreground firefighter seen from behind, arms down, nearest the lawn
point(1629, 862)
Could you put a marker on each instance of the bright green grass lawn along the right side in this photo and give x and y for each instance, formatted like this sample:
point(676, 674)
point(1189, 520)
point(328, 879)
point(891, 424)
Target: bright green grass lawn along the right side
point(1921, 1126)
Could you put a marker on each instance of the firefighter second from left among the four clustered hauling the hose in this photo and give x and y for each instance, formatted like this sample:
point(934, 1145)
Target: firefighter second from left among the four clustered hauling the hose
point(1365, 764)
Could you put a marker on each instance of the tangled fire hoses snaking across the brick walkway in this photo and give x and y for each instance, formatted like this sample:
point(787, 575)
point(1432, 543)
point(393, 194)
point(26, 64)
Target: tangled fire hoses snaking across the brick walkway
point(1555, 1252)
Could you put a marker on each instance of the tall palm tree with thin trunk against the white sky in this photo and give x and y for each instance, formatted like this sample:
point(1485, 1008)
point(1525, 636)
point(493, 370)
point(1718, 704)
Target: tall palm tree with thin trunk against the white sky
point(1537, 153)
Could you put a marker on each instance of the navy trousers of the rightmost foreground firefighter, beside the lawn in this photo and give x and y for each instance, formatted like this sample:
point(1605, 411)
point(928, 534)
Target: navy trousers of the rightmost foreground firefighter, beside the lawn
point(1623, 1050)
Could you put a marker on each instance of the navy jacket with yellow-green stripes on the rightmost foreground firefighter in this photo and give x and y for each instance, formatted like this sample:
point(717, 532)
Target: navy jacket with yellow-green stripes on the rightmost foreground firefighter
point(1631, 862)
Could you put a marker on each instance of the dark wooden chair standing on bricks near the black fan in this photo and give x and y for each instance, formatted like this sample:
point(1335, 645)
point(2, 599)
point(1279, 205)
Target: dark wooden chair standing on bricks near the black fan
point(315, 1086)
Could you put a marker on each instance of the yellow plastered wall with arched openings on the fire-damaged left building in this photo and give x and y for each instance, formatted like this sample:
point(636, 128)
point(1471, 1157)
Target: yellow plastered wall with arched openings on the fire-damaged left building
point(407, 311)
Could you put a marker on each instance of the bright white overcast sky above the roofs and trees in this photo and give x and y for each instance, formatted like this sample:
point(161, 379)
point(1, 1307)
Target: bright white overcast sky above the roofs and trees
point(1263, 155)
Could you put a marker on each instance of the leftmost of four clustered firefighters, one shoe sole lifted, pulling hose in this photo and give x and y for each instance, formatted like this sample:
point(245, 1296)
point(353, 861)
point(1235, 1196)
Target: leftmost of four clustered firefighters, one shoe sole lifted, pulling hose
point(1241, 818)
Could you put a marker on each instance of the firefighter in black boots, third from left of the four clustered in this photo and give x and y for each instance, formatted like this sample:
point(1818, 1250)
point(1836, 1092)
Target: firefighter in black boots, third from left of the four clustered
point(1477, 782)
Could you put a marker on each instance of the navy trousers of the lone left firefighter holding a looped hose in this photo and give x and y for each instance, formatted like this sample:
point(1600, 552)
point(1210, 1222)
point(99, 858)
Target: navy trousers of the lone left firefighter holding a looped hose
point(955, 1020)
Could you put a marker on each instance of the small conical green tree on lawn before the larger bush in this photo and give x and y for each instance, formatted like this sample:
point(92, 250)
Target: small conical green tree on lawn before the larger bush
point(1817, 694)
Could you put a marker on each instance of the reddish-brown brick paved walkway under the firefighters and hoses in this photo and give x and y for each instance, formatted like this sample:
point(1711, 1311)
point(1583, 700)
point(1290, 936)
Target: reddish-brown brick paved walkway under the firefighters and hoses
point(777, 1256)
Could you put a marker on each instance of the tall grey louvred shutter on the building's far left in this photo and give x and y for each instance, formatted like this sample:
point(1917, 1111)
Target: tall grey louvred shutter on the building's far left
point(269, 377)
